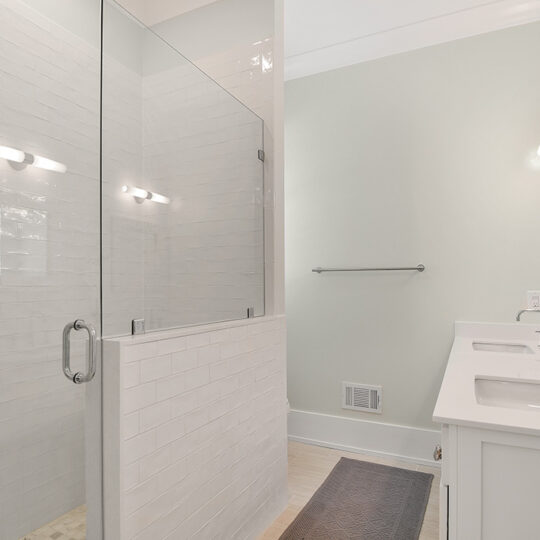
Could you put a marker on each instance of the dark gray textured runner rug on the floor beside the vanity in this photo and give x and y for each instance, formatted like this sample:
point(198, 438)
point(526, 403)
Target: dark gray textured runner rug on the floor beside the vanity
point(364, 501)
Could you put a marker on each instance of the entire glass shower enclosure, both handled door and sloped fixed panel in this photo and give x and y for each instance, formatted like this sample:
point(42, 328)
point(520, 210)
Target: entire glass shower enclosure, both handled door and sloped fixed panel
point(131, 189)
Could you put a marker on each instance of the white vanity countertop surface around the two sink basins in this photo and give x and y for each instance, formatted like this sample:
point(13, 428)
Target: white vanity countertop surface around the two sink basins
point(457, 403)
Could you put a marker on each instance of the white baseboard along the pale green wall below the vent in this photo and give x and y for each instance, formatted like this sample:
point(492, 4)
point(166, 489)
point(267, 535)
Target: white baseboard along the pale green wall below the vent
point(363, 436)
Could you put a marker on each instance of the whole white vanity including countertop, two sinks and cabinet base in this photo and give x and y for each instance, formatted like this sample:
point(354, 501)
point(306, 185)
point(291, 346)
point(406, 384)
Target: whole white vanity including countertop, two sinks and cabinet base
point(489, 410)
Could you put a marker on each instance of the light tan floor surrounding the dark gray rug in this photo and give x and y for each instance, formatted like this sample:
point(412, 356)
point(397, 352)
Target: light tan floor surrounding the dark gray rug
point(310, 465)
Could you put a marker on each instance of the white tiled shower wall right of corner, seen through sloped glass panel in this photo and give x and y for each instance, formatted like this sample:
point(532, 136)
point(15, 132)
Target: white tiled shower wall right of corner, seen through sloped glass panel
point(200, 149)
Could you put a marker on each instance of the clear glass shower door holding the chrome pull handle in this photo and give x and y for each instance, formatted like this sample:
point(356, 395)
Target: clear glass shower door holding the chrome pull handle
point(49, 254)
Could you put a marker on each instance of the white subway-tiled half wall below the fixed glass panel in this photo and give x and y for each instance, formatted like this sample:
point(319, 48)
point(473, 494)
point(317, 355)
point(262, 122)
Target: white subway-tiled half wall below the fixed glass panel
point(202, 452)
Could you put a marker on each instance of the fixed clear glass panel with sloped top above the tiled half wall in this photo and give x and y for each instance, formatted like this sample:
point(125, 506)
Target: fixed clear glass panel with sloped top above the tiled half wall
point(198, 255)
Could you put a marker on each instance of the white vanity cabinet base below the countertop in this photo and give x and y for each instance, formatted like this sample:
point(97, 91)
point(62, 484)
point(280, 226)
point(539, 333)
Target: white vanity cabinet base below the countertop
point(490, 485)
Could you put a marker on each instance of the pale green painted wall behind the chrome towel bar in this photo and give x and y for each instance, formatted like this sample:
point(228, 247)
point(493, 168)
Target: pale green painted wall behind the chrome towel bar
point(416, 158)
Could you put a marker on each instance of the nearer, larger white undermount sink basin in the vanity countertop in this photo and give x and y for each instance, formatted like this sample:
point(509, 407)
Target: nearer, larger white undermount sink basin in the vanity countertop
point(509, 393)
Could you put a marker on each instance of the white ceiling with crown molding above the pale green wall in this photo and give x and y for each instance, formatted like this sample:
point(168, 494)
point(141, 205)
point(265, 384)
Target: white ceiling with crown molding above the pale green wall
point(321, 35)
